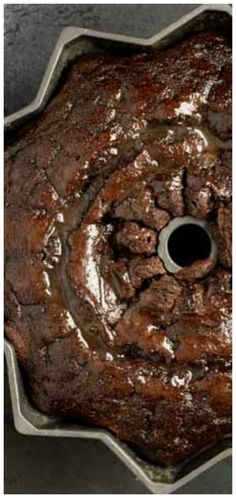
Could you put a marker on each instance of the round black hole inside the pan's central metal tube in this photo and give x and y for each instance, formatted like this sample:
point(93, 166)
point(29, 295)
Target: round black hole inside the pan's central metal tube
point(189, 243)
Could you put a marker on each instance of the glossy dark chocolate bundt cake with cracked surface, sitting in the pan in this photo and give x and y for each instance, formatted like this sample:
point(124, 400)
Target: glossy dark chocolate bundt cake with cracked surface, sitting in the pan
point(103, 333)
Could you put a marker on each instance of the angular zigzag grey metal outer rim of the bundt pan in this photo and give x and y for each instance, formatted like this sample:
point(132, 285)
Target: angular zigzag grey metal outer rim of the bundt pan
point(72, 43)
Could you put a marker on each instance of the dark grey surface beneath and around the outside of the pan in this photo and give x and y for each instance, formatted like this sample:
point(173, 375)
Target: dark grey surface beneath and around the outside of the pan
point(47, 465)
